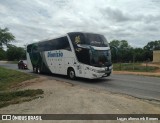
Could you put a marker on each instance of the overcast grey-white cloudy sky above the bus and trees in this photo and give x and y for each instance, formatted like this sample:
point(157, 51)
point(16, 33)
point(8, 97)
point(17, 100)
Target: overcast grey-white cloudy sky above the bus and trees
point(137, 21)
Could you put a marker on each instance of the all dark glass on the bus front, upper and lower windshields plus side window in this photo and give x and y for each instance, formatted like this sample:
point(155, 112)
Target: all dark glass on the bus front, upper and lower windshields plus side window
point(83, 42)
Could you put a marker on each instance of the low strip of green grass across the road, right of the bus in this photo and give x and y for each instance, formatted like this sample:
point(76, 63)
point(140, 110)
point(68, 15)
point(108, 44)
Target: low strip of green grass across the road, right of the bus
point(136, 67)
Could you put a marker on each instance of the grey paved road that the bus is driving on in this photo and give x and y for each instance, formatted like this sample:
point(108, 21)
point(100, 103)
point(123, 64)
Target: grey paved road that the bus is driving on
point(137, 86)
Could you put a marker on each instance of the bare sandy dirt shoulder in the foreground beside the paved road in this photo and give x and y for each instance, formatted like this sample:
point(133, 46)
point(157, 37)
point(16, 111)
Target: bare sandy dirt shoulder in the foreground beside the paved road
point(64, 98)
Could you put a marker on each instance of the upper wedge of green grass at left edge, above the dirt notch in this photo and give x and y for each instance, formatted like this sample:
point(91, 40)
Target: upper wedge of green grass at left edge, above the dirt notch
point(9, 78)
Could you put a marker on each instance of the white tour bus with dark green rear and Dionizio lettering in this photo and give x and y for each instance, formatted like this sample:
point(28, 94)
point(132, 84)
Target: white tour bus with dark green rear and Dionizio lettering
point(76, 54)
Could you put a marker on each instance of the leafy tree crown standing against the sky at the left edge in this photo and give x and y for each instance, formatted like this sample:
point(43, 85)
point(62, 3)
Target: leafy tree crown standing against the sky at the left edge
point(5, 37)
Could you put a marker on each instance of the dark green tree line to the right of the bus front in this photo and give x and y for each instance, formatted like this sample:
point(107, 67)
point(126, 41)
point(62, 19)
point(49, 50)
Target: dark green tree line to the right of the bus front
point(124, 53)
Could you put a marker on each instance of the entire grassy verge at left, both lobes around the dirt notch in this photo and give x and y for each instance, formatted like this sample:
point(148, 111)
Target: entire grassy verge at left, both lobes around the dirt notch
point(8, 80)
